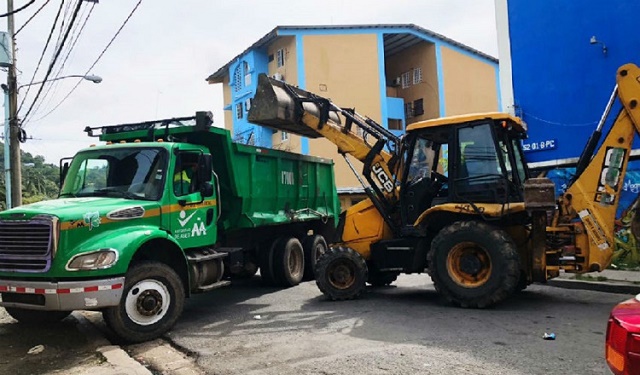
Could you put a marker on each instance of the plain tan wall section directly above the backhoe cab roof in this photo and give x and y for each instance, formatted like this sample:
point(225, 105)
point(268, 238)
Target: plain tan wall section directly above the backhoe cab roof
point(469, 83)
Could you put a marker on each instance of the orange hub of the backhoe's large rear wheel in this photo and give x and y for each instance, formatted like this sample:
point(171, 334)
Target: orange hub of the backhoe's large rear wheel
point(469, 265)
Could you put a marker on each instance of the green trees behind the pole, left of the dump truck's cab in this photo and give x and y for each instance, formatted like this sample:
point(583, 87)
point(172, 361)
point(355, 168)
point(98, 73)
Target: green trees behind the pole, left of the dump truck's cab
point(39, 179)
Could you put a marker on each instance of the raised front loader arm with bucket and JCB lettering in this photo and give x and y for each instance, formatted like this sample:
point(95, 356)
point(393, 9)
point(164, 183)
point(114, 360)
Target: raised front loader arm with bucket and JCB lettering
point(284, 107)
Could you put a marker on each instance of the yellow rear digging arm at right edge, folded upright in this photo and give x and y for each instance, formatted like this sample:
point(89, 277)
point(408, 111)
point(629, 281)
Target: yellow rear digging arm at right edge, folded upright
point(595, 192)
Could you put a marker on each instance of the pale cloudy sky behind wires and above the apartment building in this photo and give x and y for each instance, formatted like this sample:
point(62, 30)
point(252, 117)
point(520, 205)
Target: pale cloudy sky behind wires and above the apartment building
point(156, 67)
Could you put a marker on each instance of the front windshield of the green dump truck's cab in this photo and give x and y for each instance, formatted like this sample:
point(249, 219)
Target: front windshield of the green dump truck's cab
point(131, 173)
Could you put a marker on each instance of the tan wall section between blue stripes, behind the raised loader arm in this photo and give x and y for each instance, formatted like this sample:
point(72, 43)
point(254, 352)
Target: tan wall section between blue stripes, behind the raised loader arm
point(344, 68)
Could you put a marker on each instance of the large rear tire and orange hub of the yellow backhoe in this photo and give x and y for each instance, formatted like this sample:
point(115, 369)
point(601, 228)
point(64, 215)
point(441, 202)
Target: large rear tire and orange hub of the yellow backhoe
point(473, 264)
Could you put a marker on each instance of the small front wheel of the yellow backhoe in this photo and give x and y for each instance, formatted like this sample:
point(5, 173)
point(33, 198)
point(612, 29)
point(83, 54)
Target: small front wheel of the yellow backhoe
point(341, 274)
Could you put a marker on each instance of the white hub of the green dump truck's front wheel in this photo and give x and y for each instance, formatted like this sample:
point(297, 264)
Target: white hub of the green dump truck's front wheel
point(147, 302)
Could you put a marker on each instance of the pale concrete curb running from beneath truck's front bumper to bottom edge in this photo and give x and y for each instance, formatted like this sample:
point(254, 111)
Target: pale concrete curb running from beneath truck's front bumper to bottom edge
point(115, 357)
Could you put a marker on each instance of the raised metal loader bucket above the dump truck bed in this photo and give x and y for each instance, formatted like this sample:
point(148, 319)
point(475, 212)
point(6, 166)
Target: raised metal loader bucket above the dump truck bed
point(275, 105)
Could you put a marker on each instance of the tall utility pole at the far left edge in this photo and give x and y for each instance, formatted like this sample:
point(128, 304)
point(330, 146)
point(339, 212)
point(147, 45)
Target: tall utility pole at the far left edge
point(14, 125)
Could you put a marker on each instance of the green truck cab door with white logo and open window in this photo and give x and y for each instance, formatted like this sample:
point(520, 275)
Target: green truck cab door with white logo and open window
point(192, 213)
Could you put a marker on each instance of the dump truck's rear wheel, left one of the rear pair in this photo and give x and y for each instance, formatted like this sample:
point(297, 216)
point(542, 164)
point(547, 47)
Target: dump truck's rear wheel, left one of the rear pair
point(288, 262)
